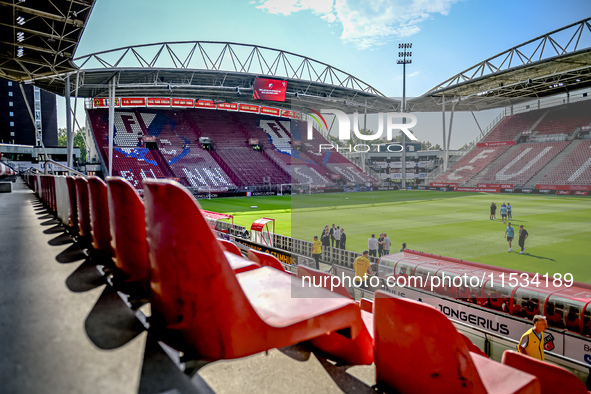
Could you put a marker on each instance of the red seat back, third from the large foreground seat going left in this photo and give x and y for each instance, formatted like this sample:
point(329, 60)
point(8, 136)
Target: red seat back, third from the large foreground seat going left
point(99, 215)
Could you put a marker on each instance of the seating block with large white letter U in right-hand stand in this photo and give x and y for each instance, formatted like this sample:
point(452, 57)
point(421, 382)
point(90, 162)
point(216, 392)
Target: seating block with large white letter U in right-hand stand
point(522, 163)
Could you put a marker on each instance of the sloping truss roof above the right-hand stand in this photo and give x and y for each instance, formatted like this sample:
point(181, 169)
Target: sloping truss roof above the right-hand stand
point(556, 62)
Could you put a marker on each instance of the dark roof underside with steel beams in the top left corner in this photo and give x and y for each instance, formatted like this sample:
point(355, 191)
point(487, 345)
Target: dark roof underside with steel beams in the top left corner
point(39, 38)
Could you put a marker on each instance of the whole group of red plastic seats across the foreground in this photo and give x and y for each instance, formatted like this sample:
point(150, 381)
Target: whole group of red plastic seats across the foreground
point(211, 303)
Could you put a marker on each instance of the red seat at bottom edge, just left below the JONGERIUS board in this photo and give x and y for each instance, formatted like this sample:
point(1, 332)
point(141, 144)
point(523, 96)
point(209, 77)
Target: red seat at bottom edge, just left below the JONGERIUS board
point(418, 350)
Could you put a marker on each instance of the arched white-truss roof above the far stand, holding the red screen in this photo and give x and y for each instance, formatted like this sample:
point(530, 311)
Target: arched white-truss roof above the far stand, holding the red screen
point(220, 71)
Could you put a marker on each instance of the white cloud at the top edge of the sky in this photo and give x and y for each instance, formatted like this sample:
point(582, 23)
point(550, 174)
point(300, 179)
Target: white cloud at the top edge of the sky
point(366, 23)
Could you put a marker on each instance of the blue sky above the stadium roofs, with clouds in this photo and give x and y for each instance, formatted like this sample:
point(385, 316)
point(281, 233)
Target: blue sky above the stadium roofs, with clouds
point(359, 37)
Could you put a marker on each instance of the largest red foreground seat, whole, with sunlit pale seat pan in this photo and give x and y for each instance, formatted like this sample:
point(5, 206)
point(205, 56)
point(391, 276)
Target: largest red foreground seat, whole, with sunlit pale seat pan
point(213, 313)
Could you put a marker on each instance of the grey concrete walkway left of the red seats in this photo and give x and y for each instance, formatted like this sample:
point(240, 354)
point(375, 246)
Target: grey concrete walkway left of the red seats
point(44, 344)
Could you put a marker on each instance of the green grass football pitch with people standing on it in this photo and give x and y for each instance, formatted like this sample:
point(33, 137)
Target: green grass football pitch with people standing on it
point(444, 223)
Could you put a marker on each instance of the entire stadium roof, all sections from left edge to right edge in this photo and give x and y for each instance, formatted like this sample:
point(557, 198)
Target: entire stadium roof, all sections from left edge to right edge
point(38, 40)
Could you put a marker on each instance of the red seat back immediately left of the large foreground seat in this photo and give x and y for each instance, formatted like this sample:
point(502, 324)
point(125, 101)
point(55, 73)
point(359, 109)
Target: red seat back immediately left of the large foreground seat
point(128, 231)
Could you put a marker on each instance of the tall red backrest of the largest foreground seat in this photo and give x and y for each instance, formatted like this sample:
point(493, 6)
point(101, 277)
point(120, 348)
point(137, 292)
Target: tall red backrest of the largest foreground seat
point(202, 284)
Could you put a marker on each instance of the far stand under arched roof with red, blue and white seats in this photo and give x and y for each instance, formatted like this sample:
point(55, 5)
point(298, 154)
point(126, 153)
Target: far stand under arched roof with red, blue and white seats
point(230, 162)
